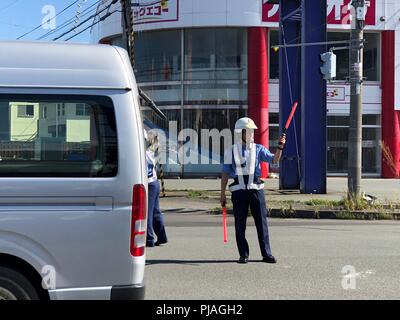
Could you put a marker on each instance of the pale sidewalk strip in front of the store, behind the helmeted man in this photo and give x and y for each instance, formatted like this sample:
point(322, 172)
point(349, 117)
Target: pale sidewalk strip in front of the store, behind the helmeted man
point(188, 196)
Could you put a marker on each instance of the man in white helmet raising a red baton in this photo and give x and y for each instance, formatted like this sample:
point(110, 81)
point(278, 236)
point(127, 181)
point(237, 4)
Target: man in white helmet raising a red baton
point(242, 163)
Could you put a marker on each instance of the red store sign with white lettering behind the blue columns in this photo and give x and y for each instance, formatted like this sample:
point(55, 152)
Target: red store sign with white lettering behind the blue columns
point(338, 12)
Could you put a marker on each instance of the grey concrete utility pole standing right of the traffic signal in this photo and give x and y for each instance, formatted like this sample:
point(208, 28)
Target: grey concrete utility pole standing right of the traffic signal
point(356, 80)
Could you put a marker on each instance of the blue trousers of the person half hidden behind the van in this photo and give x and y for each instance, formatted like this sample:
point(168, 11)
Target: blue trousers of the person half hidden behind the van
point(155, 221)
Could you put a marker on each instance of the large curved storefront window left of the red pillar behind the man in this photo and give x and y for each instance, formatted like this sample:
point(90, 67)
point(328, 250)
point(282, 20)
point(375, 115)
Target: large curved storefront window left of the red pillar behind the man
point(214, 84)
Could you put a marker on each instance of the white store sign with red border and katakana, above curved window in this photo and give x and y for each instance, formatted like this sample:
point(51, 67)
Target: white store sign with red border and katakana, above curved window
point(147, 11)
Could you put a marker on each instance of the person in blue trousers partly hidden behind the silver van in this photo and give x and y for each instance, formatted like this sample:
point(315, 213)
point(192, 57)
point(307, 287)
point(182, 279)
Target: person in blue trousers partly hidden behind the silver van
point(155, 221)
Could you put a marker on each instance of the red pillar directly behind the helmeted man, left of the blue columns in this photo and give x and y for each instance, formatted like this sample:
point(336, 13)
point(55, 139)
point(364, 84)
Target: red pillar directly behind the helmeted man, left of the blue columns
point(258, 85)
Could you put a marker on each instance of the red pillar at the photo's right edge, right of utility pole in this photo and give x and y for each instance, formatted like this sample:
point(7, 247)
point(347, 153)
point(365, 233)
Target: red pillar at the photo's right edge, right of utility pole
point(390, 117)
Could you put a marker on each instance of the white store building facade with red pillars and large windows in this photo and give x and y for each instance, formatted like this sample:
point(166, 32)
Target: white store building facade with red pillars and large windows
point(199, 59)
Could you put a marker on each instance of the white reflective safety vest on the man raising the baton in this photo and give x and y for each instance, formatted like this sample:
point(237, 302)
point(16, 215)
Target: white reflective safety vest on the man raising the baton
point(245, 168)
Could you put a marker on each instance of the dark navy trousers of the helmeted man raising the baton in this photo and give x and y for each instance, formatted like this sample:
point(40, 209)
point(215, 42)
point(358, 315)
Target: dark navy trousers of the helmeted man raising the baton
point(255, 199)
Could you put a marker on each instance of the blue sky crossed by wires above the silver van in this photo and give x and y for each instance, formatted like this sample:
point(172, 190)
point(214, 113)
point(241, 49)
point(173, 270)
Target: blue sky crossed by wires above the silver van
point(18, 17)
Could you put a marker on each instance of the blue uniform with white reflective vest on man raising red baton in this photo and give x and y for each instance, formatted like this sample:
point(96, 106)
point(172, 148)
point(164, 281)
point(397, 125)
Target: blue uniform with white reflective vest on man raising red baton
point(243, 165)
